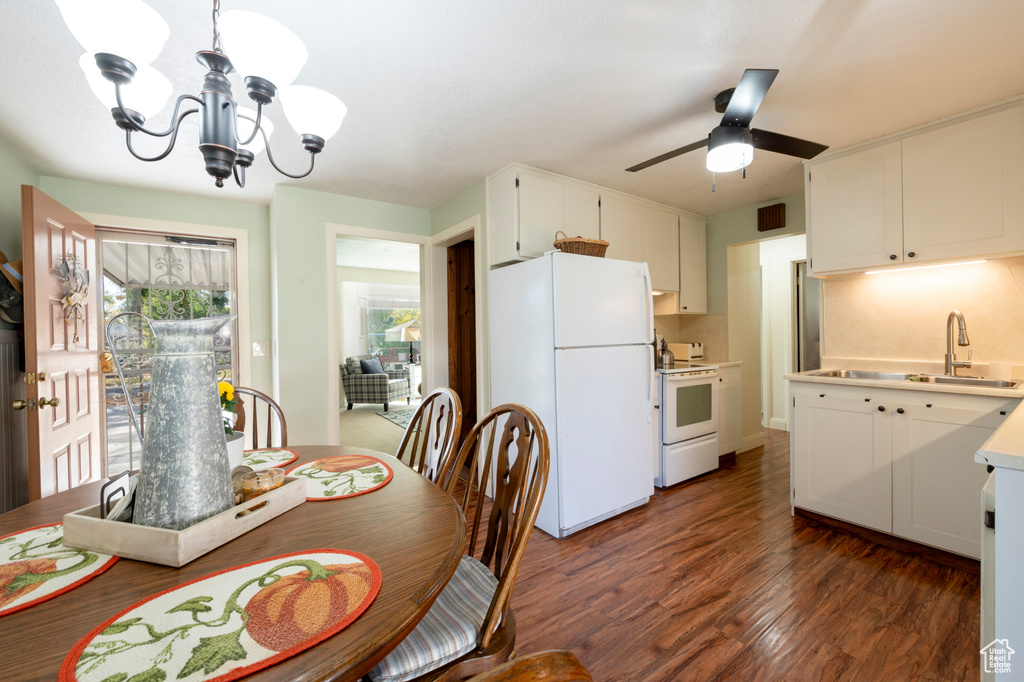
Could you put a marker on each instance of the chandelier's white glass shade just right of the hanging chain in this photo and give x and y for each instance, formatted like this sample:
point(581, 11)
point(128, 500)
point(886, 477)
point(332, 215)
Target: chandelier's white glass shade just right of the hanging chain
point(261, 47)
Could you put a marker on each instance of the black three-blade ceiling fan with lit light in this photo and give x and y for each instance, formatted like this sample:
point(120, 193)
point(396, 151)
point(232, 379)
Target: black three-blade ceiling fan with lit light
point(732, 144)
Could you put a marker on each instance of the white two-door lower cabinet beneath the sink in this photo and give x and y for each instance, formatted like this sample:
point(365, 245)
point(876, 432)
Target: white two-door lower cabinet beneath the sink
point(897, 461)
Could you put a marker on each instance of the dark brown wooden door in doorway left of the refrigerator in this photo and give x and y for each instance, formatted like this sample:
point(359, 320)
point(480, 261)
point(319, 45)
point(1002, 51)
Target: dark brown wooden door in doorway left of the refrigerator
point(462, 330)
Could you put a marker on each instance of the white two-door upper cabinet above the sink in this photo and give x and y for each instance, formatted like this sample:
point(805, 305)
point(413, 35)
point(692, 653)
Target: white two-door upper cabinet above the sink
point(951, 192)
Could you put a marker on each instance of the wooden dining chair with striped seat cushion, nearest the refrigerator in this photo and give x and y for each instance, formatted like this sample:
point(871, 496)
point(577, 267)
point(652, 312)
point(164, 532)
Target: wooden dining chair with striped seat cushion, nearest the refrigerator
point(471, 627)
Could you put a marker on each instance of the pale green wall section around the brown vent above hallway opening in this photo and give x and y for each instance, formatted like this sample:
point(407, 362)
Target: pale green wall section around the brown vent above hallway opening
point(740, 227)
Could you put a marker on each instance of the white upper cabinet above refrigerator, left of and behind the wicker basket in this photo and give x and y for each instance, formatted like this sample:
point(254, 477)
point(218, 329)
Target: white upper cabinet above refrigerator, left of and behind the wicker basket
point(527, 209)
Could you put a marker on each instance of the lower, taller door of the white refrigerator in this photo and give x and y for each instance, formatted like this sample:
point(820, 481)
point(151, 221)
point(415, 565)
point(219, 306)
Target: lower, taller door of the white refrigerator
point(605, 438)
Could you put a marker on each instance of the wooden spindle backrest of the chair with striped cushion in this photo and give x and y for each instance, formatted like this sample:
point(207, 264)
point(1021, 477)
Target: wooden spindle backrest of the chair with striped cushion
point(516, 465)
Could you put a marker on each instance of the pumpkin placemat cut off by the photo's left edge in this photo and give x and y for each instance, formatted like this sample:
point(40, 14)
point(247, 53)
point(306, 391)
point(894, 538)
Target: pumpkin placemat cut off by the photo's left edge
point(35, 567)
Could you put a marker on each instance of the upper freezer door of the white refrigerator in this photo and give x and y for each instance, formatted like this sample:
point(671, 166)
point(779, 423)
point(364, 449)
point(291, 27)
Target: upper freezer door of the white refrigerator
point(601, 303)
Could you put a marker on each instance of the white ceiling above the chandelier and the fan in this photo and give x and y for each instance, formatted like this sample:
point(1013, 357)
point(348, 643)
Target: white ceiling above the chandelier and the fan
point(444, 93)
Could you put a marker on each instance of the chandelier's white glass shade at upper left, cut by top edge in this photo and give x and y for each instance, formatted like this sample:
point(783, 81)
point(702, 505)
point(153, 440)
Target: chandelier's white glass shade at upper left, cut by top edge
point(130, 29)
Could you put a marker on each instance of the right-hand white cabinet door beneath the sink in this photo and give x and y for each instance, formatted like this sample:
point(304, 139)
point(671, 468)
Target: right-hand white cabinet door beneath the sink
point(936, 482)
